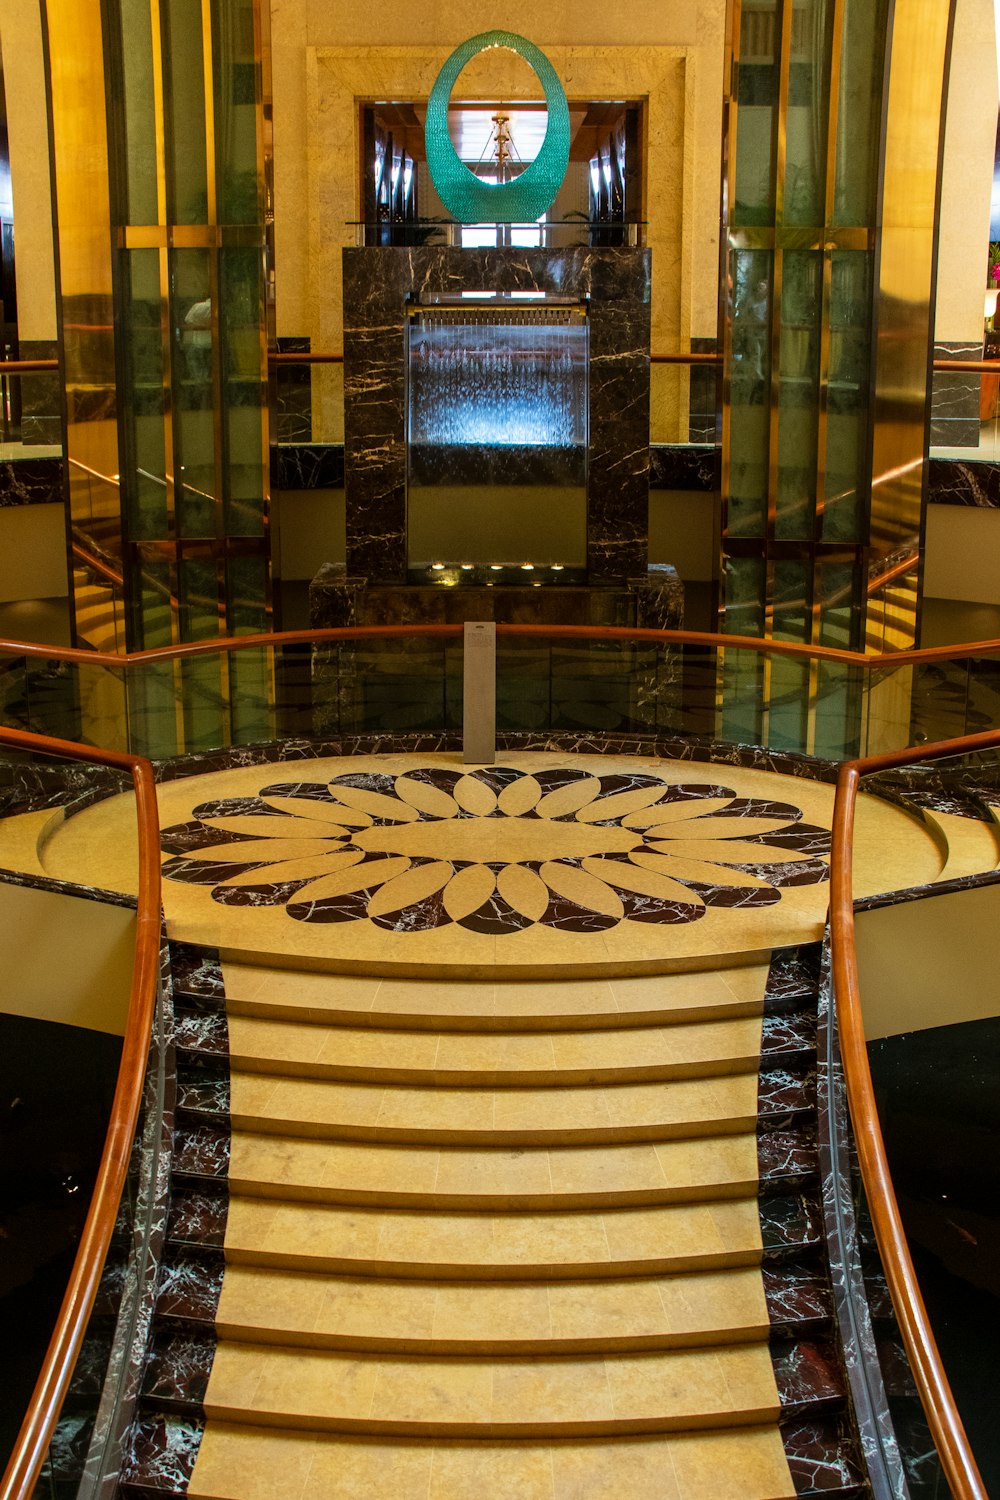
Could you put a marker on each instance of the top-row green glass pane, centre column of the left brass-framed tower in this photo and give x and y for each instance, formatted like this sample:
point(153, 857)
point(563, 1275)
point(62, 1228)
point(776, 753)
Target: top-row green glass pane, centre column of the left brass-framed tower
point(185, 109)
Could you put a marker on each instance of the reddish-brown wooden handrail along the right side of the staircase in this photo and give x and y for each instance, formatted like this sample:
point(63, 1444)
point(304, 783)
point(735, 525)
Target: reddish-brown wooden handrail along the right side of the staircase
point(947, 1427)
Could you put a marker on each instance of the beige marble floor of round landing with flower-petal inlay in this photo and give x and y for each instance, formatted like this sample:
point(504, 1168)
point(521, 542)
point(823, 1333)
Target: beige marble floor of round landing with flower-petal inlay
point(893, 850)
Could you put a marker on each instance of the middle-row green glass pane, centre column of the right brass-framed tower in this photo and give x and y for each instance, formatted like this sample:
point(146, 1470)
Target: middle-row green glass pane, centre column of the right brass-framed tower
point(798, 391)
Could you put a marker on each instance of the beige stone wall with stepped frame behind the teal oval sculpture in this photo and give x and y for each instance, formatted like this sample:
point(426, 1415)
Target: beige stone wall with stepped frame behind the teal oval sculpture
point(329, 56)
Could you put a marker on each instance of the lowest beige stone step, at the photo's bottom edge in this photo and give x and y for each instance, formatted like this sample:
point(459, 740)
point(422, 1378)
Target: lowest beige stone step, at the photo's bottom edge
point(256, 1463)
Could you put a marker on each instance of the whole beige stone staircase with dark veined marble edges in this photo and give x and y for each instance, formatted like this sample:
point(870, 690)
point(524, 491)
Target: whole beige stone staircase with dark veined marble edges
point(528, 1238)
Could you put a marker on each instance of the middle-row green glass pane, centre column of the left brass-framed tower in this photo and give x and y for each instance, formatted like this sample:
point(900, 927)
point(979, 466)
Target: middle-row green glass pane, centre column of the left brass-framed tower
point(194, 416)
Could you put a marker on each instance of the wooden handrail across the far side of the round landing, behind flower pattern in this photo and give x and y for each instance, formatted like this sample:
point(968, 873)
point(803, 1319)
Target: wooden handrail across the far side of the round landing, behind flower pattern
point(695, 638)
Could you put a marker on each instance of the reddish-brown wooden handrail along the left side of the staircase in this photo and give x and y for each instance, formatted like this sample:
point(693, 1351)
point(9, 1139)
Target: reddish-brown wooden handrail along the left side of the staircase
point(71, 1325)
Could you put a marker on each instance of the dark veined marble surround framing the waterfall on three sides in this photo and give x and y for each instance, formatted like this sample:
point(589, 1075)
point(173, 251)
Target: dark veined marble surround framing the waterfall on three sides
point(377, 284)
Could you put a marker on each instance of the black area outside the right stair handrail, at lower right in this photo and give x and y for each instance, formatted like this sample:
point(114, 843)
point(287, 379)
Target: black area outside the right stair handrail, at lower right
point(939, 1102)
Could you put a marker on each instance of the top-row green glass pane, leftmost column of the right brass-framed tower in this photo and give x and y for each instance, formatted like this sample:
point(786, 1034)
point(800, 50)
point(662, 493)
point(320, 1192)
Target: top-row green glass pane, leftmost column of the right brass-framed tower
point(758, 101)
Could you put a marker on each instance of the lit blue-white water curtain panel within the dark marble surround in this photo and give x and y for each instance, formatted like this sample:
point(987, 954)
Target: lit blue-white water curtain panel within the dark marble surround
point(497, 434)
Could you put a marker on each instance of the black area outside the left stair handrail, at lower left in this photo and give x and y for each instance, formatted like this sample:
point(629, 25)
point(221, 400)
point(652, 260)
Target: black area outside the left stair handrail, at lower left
point(56, 1090)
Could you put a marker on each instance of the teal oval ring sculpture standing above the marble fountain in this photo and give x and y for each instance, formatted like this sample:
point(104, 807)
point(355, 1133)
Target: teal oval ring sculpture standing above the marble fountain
point(461, 191)
